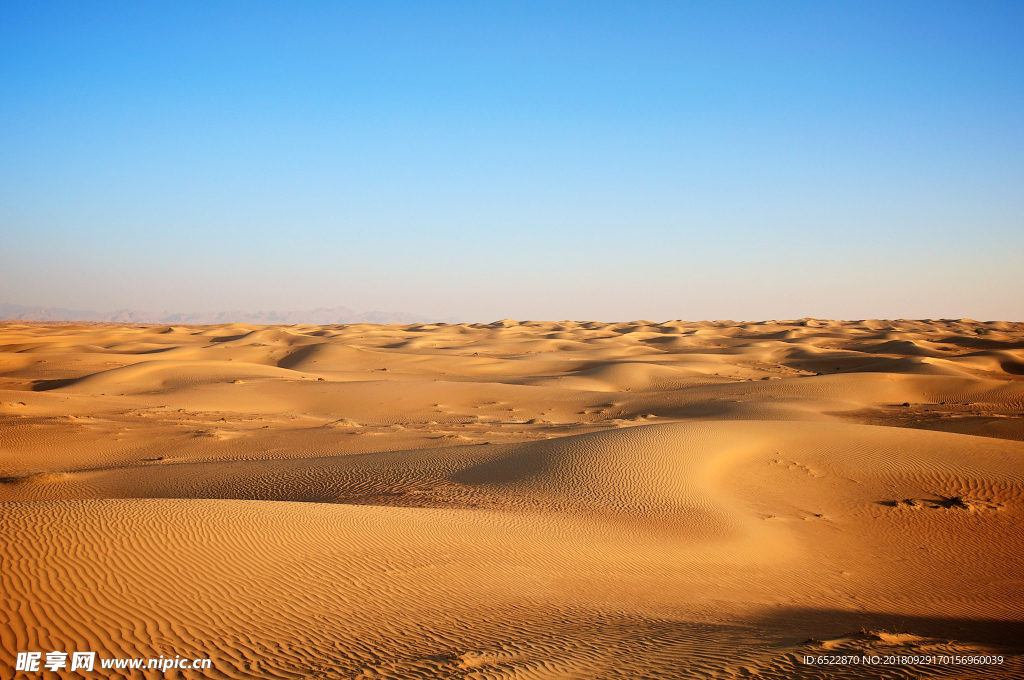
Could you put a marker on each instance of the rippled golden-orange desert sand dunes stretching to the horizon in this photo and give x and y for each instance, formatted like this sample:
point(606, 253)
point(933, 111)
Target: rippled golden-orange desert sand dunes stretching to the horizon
point(516, 500)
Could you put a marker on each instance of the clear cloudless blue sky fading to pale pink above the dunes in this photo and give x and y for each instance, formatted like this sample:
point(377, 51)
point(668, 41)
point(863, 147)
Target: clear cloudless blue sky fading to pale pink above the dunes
point(485, 160)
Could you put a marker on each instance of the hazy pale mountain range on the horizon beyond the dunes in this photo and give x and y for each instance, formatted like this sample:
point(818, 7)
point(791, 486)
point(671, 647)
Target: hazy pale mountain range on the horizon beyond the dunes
point(320, 317)
